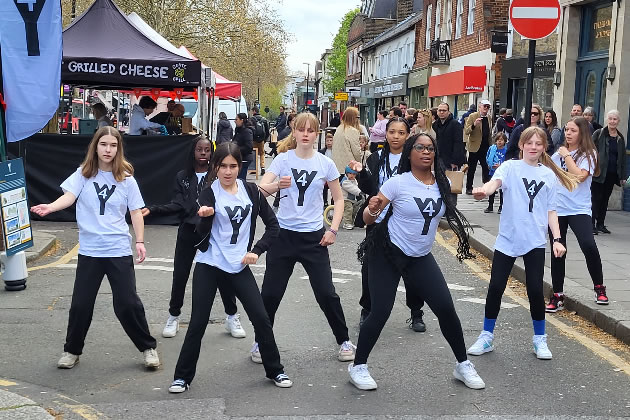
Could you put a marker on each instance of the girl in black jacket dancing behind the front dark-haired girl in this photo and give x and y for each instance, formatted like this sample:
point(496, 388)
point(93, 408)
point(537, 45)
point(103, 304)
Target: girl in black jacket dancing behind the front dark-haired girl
point(188, 185)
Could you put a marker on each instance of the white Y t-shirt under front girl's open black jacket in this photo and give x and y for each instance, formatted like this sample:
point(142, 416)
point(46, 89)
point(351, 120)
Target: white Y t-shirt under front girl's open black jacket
point(229, 236)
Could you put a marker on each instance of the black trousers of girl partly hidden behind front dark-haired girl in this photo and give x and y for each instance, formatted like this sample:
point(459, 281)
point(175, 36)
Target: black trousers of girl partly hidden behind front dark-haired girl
point(185, 252)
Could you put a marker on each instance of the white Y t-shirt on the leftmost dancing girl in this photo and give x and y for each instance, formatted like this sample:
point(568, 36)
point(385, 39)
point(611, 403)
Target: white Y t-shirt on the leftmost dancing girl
point(102, 204)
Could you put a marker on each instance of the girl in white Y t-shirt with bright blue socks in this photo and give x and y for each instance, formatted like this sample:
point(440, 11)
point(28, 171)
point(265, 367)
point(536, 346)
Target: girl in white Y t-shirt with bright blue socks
point(529, 189)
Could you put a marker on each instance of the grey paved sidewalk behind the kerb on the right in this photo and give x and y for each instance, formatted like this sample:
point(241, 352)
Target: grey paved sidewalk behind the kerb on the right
point(579, 295)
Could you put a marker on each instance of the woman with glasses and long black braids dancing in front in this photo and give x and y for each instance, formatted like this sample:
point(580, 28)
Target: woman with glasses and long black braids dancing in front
point(400, 246)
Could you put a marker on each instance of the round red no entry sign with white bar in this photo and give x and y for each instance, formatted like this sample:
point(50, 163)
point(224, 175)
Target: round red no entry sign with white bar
point(535, 19)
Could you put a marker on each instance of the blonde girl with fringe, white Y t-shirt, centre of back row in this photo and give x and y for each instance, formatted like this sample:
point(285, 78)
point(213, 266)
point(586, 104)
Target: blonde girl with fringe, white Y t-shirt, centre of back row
point(301, 174)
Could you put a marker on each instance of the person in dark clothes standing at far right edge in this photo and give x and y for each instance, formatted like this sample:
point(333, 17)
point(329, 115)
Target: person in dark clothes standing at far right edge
point(611, 152)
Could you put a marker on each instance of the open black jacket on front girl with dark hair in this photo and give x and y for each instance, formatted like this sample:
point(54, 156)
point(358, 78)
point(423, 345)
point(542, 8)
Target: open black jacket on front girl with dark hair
point(260, 206)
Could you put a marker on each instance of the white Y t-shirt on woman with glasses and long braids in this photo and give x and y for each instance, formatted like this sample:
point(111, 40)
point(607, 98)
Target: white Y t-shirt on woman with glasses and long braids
point(417, 211)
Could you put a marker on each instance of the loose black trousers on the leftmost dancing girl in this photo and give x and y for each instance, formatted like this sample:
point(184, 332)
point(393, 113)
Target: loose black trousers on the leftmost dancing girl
point(127, 305)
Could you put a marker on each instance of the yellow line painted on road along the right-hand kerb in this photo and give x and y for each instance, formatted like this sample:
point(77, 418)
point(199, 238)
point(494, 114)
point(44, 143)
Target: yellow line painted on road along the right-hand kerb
point(590, 344)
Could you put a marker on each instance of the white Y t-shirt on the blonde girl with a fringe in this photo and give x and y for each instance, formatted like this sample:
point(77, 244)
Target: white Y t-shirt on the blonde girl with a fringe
point(301, 209)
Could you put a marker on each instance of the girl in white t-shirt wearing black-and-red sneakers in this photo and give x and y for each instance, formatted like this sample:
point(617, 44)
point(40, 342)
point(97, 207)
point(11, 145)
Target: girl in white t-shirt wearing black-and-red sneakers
point(577, 156)
